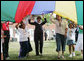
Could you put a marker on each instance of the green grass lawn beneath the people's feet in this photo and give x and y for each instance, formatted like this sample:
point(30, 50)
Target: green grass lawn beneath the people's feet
point(49, 52)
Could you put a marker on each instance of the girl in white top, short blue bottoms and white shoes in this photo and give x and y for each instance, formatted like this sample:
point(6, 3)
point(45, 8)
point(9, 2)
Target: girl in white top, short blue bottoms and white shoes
point(71, 40)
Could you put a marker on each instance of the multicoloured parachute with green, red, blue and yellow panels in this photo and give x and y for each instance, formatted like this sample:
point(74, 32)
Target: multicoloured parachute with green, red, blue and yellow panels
point(15, 11)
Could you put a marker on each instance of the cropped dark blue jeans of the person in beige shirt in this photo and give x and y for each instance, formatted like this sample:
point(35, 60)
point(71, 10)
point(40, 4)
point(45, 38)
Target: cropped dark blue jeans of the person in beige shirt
point(61, 41)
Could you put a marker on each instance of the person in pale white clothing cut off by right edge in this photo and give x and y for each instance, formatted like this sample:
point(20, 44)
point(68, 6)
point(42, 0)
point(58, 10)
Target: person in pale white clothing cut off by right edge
point(79, 44)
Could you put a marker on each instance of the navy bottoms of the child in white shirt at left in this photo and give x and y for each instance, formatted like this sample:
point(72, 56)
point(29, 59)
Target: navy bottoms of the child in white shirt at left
point(24, 49)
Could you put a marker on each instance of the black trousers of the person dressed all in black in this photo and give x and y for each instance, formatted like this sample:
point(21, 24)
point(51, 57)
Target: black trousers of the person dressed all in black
point(38, 39)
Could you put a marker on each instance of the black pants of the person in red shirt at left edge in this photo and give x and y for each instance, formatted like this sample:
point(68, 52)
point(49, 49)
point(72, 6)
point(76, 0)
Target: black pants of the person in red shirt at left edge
point(6, 44)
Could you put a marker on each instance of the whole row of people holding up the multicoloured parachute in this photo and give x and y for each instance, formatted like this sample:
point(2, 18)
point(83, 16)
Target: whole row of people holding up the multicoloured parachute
point(65, 33)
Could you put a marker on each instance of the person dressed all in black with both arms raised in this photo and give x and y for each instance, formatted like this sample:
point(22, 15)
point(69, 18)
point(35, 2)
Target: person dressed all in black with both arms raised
point(38, 34)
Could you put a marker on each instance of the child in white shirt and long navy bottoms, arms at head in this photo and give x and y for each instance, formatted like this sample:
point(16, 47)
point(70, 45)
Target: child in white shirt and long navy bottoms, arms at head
point(23, 37)
